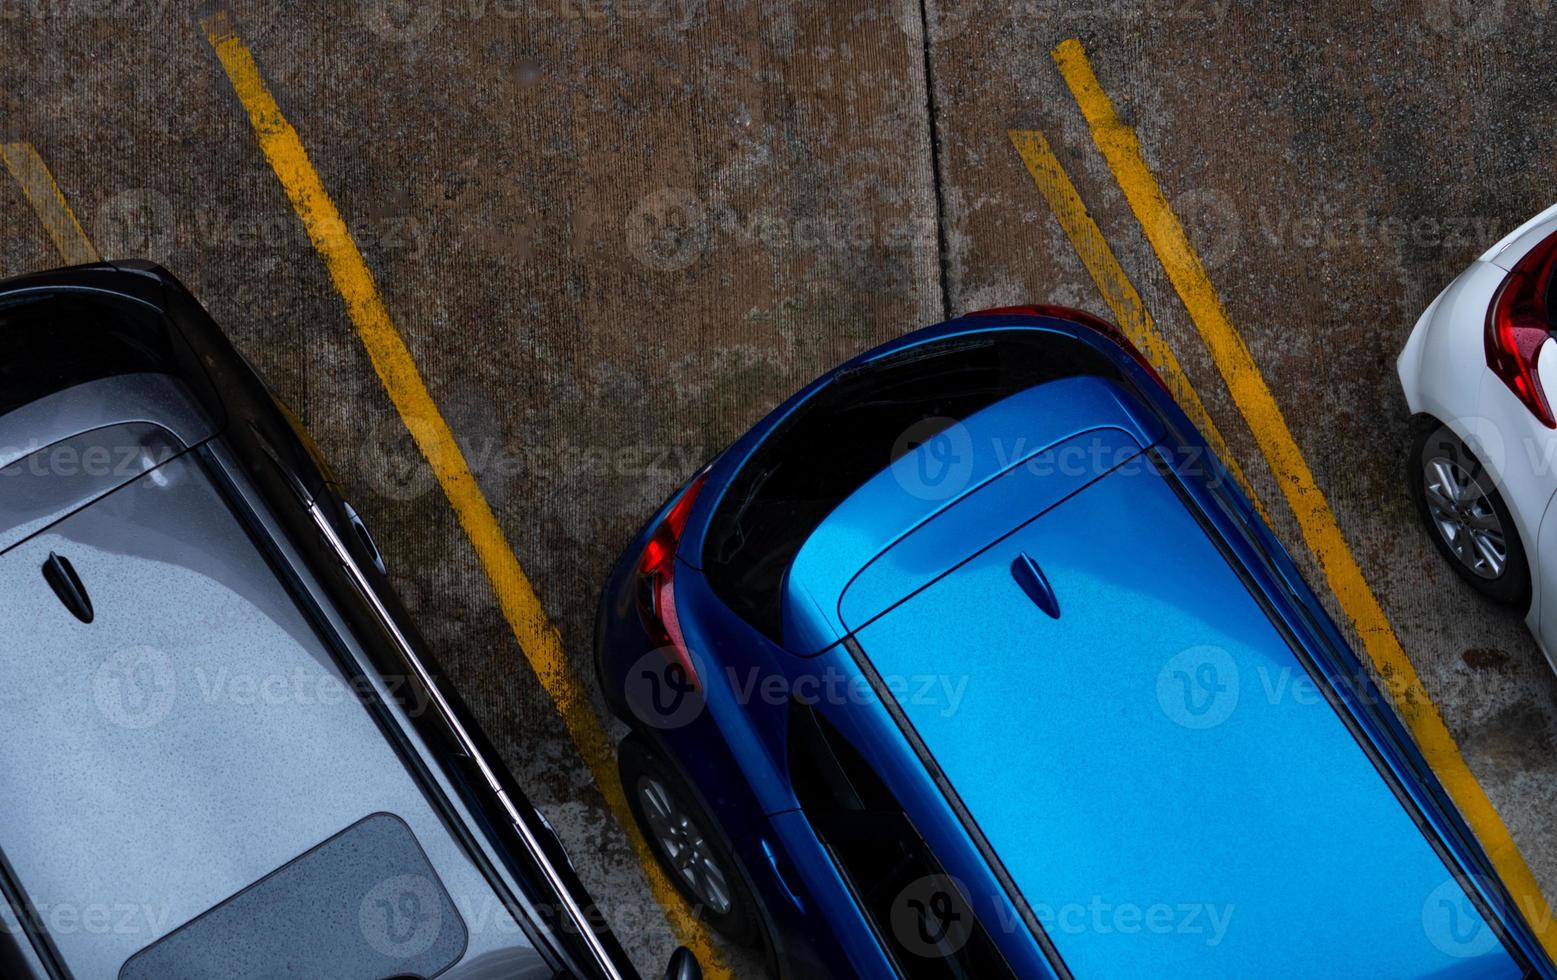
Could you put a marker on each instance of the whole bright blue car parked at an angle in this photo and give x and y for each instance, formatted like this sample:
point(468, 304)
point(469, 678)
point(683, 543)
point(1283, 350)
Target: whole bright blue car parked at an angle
point(971, 661)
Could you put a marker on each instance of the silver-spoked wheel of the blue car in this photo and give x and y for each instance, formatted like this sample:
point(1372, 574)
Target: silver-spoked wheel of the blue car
point(686, 845)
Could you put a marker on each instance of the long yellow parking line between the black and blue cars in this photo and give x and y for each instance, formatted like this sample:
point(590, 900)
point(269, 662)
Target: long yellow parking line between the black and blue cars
point(392, 359)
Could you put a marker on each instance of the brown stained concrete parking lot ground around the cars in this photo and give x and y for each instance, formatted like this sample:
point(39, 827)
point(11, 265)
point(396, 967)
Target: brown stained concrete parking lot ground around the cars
point(617, 233)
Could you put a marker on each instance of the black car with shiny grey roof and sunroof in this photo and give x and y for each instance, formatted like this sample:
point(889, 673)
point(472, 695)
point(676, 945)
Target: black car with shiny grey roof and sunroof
point(223, 749)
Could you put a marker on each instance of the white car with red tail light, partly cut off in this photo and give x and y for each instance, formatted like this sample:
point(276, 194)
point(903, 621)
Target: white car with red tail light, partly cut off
point(1481, 379)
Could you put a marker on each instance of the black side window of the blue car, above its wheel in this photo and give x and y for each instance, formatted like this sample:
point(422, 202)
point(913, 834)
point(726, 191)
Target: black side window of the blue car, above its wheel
point(919, 914)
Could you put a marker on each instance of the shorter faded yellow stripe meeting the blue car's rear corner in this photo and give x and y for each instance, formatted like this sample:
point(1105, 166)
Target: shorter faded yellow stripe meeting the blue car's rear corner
point(1117, 289)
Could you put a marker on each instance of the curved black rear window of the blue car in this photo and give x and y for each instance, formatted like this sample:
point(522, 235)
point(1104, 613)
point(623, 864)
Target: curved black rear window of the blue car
point(854, 429)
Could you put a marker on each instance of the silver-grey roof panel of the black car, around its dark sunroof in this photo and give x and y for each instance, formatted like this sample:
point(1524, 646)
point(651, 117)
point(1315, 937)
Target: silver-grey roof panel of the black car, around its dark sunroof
point(192, 735)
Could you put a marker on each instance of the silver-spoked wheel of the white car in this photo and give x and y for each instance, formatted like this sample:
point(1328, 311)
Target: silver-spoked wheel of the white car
point(1467, 518)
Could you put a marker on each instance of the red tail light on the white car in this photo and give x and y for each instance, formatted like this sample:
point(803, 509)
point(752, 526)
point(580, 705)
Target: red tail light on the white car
point(1517, 326)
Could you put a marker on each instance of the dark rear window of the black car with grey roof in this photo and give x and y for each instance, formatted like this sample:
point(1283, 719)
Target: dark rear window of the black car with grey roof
point(51, 342)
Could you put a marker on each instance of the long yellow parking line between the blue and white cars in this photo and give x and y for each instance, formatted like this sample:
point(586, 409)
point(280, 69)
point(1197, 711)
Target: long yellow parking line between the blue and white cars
point(1122, 150)
